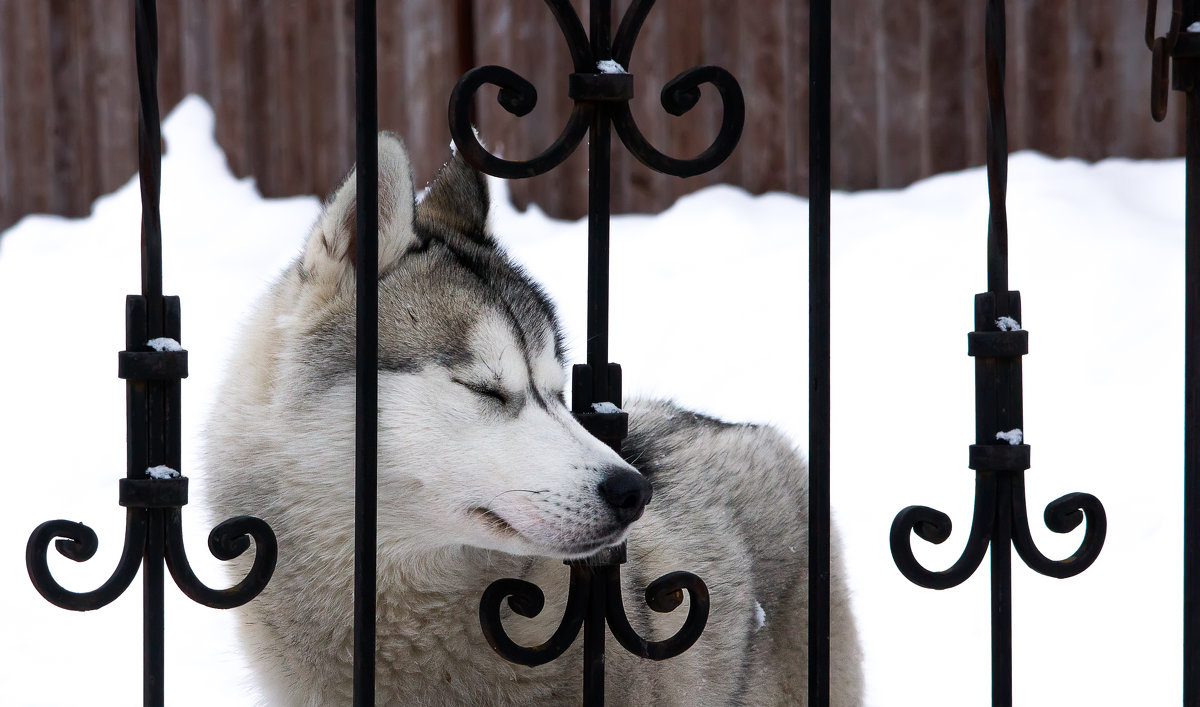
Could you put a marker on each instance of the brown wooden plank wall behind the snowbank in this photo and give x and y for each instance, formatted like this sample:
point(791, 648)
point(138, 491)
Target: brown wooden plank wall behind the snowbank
point(909, 94)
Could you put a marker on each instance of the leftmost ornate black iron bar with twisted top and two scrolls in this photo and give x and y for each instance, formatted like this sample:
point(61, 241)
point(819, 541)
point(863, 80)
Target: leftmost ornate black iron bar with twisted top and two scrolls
point(153, 376)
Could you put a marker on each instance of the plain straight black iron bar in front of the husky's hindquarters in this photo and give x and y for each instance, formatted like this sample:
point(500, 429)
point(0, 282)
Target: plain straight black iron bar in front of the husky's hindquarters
point(820, 76)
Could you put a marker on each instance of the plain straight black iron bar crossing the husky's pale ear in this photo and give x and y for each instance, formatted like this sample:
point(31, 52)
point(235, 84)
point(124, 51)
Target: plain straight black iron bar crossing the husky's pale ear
point(367, 352)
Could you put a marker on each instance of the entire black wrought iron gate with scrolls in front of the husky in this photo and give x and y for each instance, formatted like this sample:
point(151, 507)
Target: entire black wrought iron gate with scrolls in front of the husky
point(154, 363)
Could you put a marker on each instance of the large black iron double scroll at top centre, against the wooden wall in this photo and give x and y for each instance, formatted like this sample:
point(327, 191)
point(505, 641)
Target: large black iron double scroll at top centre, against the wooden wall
point(519, 98)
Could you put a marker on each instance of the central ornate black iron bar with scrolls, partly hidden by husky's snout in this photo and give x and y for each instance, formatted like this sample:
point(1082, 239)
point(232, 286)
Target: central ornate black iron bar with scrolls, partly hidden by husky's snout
point(602, 93)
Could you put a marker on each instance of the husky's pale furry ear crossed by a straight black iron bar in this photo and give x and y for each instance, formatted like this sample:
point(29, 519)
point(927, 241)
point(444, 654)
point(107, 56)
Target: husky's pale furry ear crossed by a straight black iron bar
point(329, 255)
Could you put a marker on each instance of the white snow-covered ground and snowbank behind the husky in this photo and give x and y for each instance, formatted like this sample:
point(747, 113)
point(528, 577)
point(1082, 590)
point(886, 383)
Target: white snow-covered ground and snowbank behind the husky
point(709, 307)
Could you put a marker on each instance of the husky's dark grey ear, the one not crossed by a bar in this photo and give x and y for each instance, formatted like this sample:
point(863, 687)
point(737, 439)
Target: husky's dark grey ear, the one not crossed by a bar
point(457, 202)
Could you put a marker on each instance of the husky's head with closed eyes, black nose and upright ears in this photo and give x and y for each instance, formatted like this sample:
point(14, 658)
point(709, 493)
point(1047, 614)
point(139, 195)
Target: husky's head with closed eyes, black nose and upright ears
point(477, 446)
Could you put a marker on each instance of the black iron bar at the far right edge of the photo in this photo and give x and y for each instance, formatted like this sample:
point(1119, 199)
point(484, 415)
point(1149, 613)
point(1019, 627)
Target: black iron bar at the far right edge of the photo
point(1192, 378)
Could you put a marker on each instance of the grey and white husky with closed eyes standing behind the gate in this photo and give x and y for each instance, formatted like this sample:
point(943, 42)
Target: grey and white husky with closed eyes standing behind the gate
point(485, 475)
